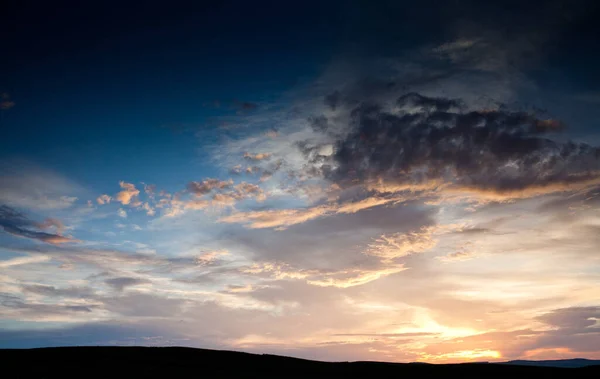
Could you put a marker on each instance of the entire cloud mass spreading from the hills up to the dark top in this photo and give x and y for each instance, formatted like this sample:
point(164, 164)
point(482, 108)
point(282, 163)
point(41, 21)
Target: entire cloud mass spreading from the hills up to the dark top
point(359, 241)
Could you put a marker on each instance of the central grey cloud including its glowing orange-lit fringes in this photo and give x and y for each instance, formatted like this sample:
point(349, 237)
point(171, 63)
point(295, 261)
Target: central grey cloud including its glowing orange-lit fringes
point(323, 240)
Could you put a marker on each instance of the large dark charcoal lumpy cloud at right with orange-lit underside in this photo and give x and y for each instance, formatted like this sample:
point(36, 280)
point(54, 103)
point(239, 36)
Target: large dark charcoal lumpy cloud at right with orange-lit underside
point(427, 138)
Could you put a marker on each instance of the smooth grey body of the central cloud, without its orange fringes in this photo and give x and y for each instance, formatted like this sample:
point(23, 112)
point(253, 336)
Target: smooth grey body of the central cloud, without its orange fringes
point(329, 242)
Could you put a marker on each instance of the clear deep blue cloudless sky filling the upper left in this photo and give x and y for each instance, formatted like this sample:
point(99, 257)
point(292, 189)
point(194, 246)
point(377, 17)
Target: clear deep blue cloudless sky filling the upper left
point(101, 81)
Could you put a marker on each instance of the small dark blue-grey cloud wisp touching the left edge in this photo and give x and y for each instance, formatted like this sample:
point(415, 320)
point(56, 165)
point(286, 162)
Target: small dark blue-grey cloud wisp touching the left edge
point(15, 223)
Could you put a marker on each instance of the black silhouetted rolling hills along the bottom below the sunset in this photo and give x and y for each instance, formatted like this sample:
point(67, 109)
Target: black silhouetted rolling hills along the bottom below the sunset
point(171, 362)
